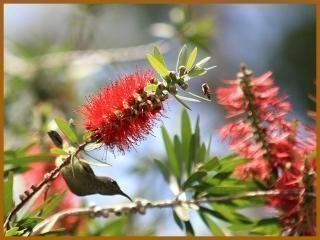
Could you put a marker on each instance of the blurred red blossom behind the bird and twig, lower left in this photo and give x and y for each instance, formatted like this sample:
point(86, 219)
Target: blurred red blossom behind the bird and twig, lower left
point(35, 175)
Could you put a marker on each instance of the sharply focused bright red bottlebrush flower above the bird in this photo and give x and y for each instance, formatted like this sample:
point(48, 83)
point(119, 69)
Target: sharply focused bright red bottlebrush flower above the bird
point(122, 113)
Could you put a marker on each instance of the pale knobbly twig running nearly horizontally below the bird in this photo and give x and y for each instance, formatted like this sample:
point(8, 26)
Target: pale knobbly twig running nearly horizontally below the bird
point(140, 206)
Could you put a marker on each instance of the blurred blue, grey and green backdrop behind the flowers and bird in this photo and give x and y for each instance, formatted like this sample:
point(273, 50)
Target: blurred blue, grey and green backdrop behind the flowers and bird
point(57, 55)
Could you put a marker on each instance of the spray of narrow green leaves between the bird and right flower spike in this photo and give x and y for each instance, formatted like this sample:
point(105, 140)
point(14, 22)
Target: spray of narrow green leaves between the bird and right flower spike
point(198, 175)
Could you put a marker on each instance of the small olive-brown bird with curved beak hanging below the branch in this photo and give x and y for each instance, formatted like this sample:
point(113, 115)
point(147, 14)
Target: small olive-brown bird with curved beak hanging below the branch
point(82, 181)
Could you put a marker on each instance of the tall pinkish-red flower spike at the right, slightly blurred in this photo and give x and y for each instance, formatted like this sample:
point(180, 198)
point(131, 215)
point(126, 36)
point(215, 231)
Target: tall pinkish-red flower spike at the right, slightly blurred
point(276, 148)
